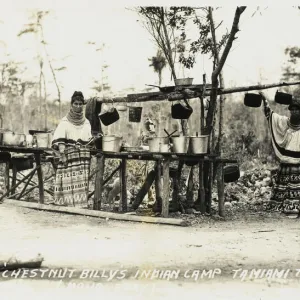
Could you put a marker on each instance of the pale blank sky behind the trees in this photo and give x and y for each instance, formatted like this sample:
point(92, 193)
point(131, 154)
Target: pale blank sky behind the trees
point(257, 54)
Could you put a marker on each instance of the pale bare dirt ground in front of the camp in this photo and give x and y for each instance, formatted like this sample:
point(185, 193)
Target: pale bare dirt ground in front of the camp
point(102, 249)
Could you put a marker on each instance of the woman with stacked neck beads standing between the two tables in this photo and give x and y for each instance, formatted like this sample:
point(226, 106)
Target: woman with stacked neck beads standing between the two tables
point(70, 137)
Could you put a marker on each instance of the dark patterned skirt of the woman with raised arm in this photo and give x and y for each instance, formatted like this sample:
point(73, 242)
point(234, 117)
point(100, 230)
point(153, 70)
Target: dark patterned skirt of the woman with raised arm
point(286, 189)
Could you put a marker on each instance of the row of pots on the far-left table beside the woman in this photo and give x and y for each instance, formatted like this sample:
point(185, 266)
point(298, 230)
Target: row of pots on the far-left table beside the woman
point(40, 139)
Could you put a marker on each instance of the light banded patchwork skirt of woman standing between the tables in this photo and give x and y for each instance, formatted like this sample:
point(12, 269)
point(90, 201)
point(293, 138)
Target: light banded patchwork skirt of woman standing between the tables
point(72, 181)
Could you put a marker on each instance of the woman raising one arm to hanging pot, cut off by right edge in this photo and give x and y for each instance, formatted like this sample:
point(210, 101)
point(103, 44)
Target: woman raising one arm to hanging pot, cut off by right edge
point(285, 132)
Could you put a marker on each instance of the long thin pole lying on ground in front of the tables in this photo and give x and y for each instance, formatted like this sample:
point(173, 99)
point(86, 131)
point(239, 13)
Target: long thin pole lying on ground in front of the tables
point(99, 214)
